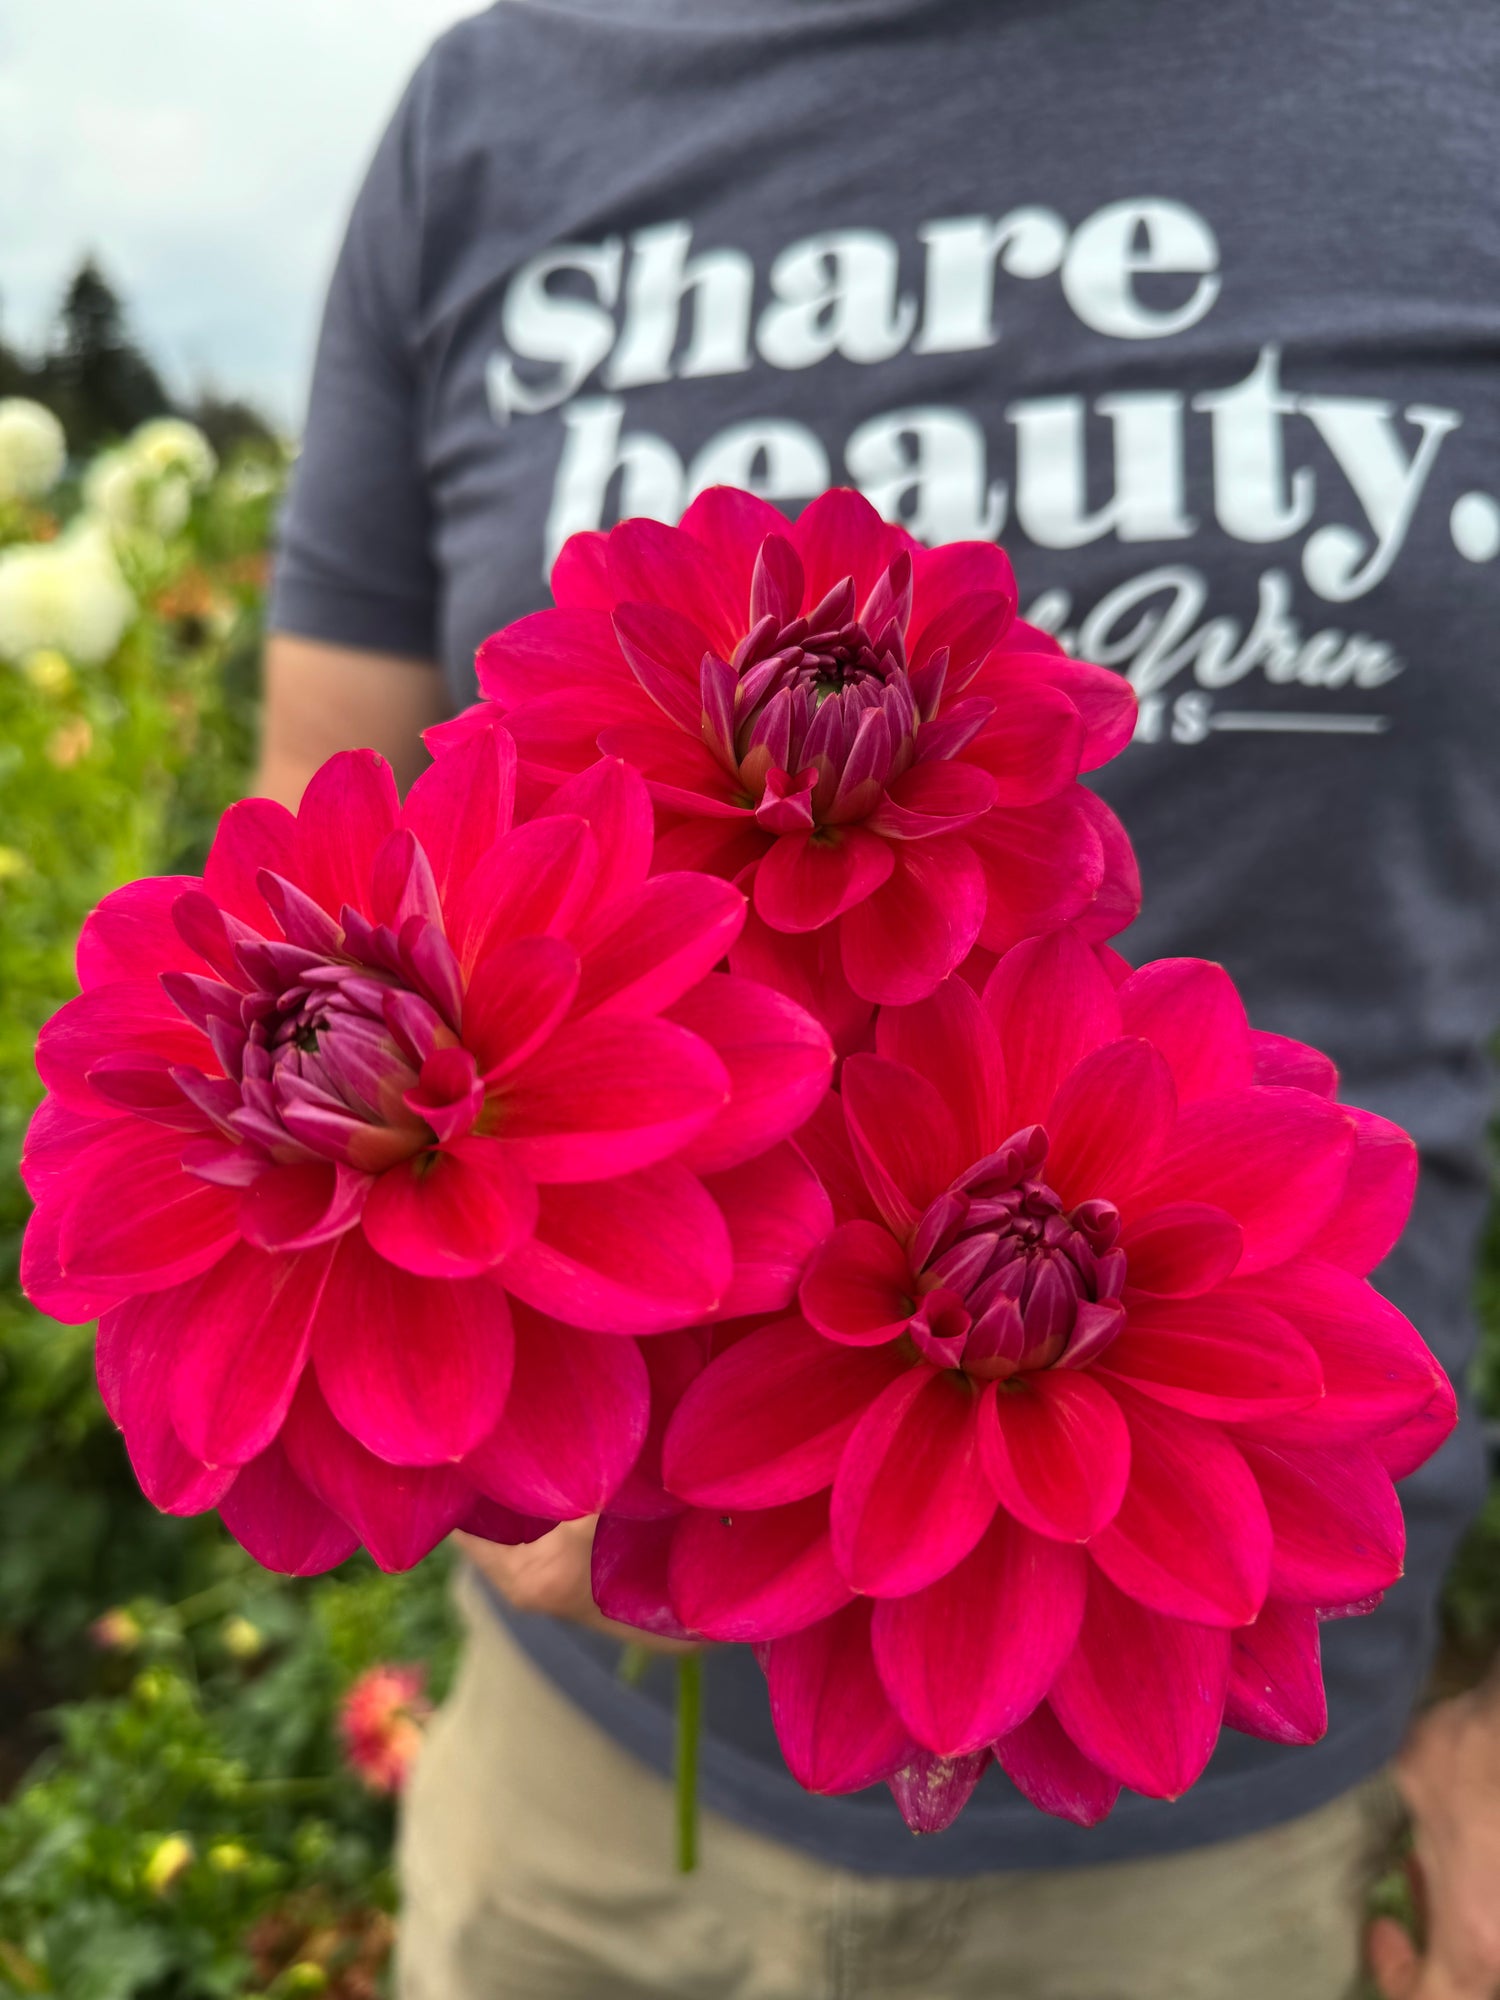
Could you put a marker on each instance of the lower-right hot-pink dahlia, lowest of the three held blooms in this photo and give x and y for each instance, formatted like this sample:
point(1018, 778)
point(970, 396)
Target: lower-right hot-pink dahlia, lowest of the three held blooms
point(1089, 1413)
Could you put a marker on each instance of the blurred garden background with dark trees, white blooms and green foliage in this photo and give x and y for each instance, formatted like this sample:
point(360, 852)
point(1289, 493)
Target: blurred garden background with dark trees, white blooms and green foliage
point(197, 1761)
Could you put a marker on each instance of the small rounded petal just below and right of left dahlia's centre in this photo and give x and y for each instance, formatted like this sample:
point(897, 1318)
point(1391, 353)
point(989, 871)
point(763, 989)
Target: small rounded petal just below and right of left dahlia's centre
point(455, 1211)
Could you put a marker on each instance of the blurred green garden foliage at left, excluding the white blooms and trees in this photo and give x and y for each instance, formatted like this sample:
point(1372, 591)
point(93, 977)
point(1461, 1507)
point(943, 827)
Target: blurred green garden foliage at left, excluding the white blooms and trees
point(185, 1827)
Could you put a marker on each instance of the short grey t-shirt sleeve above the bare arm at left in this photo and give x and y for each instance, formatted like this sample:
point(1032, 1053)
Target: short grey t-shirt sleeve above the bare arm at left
point(355, 553)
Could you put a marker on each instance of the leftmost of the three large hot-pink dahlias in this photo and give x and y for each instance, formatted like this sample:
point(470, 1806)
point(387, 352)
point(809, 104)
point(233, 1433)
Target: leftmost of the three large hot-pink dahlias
point(371, 1145)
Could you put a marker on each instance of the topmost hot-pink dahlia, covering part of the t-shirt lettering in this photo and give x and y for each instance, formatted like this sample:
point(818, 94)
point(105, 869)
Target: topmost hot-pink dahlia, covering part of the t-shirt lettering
point(851, 723)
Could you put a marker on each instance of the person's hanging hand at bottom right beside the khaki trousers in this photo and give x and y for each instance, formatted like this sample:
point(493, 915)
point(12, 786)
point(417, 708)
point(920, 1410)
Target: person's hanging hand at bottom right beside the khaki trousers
point(1449, 1775)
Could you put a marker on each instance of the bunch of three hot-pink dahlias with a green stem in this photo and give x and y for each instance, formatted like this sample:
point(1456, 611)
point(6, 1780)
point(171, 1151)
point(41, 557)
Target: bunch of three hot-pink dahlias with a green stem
point(481, 1161)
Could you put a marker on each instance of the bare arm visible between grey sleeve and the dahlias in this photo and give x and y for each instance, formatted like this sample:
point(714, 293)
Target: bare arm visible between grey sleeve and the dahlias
point(325, 699)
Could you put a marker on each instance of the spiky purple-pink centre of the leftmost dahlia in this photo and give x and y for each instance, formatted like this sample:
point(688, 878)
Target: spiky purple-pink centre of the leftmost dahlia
point(337, 1043)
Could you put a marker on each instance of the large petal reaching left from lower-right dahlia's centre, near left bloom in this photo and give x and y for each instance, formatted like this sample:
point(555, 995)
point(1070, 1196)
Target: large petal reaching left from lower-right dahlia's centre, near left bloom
point(769, 1419)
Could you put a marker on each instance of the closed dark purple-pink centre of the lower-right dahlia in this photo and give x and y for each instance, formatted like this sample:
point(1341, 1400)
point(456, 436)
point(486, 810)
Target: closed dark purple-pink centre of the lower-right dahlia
point(1009, 1279)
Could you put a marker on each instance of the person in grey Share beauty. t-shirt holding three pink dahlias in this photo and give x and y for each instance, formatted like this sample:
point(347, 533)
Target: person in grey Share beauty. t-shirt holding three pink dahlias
point(1017, 1417)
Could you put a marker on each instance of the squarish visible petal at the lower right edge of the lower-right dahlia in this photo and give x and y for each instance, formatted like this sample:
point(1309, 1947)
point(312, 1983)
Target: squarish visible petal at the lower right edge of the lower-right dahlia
point(1337, 1523)
